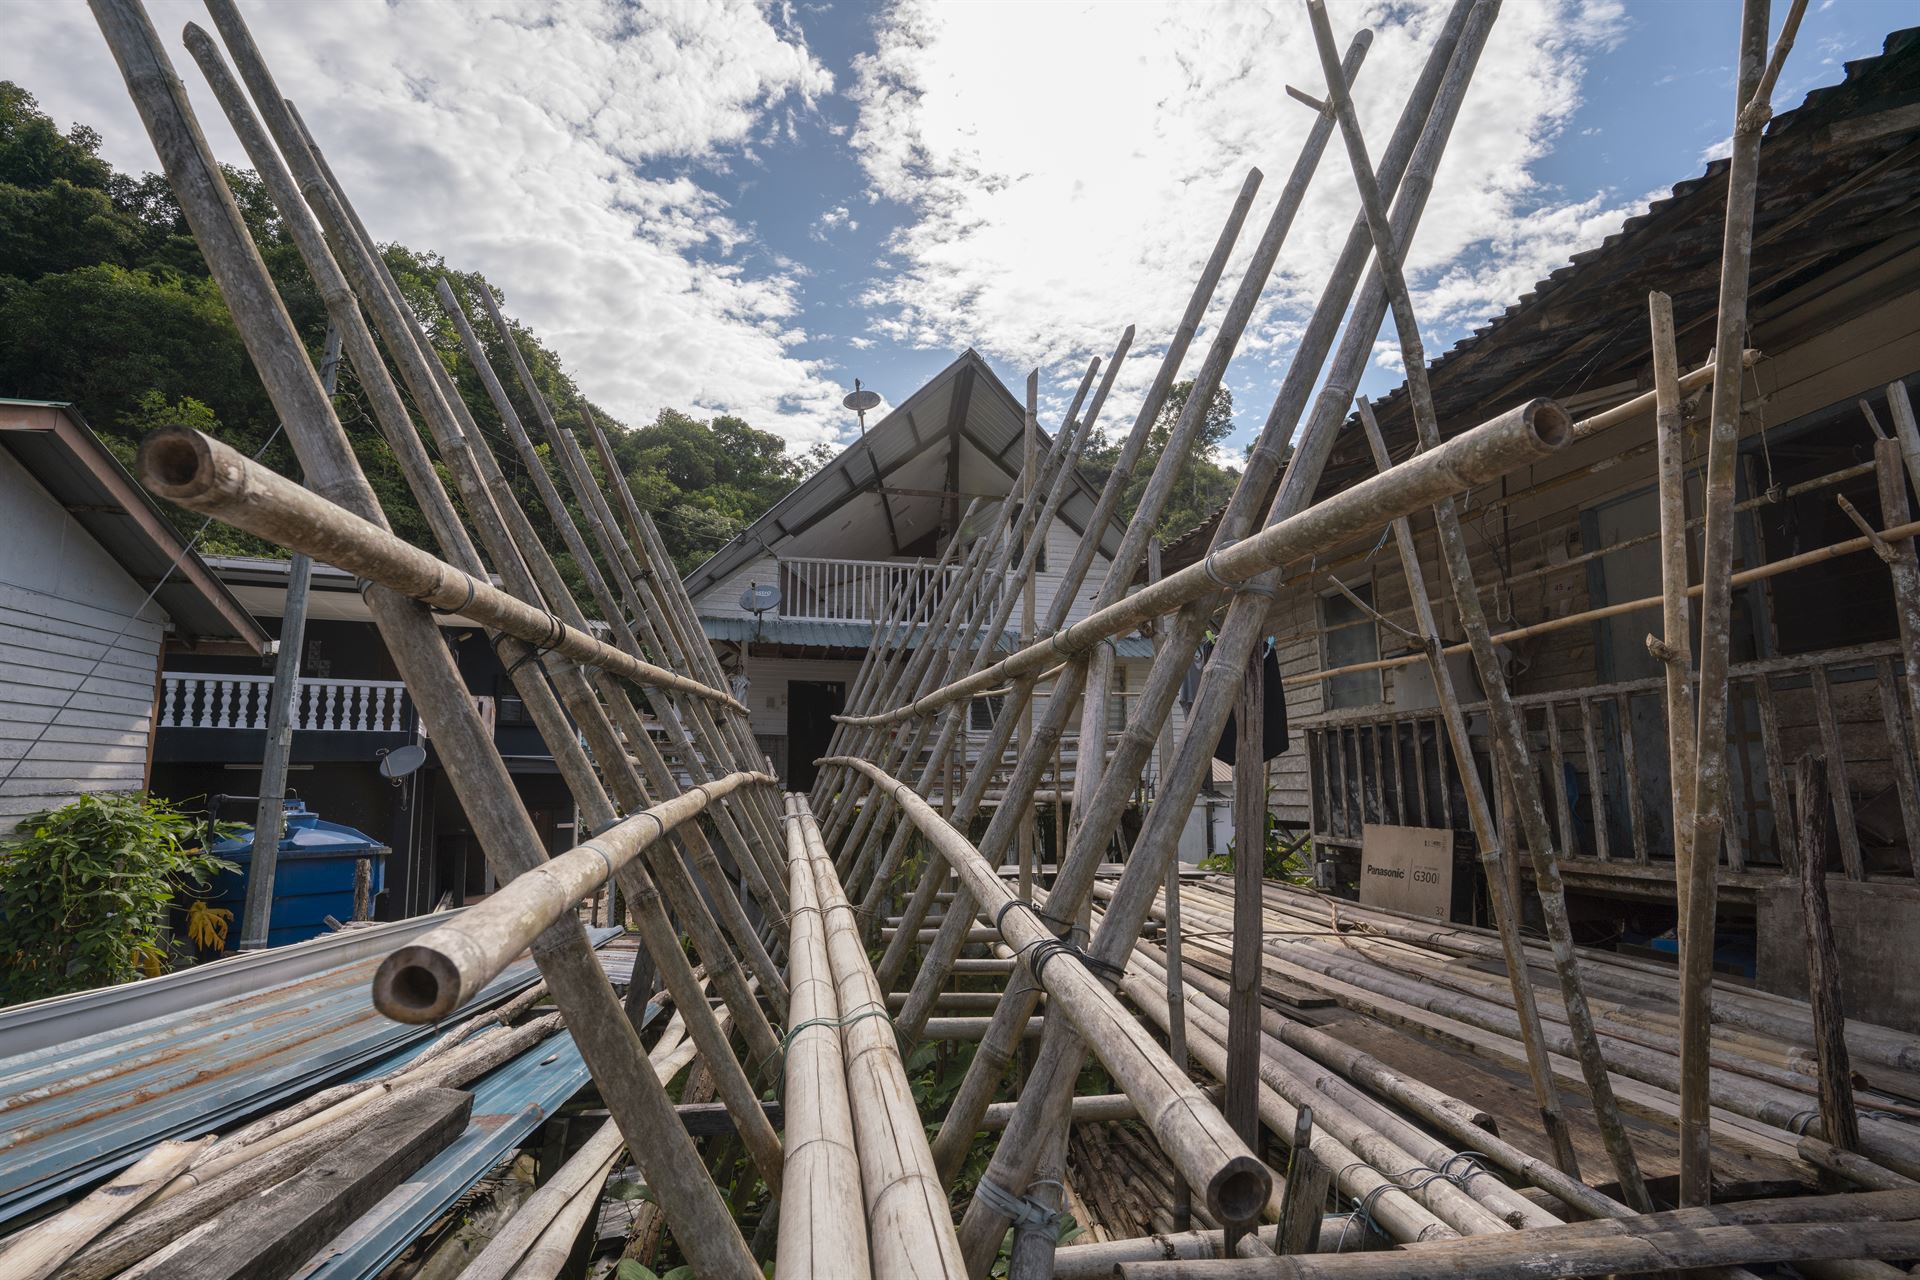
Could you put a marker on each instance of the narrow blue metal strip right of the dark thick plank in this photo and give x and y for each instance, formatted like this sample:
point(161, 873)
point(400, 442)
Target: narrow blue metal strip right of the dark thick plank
point(508, 1106)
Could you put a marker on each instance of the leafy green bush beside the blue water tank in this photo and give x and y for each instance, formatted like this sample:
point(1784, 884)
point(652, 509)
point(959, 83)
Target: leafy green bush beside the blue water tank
point(84, 891)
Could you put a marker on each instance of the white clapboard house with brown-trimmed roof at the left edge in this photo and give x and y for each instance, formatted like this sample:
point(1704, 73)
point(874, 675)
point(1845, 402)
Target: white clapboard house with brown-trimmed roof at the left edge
point(95, 588)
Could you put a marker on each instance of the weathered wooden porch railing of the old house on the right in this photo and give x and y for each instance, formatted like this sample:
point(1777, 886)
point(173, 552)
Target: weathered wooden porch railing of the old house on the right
point(1602, 765)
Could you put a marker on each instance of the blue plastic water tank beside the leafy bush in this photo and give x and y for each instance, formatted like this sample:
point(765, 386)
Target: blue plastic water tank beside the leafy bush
point(312, 880)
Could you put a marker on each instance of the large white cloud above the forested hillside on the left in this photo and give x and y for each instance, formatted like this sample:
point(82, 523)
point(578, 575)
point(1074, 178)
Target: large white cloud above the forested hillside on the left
point(510, 135)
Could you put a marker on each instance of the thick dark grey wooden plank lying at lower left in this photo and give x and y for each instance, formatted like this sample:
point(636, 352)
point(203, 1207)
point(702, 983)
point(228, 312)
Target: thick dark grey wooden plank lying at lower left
point(274, 1235)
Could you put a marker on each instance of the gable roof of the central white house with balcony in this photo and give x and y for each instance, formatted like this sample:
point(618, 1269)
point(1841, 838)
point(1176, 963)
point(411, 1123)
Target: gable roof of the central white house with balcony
point(963, 406)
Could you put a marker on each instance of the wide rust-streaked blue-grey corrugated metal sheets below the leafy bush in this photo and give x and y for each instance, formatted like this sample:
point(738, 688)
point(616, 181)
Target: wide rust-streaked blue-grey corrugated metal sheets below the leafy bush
point(76, 1112)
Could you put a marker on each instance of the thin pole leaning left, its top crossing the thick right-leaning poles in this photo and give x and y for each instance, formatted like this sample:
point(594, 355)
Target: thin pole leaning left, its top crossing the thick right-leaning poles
point(1510, 732)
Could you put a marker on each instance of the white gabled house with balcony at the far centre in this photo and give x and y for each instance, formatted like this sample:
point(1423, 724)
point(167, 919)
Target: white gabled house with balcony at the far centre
point(871, 525)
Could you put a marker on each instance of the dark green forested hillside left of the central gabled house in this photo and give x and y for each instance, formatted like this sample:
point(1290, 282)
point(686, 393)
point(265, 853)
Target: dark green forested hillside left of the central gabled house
point(105, 302)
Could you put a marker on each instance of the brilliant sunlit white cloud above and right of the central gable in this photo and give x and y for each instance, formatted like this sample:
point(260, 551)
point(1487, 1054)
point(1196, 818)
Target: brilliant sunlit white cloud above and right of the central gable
point(1051, 216)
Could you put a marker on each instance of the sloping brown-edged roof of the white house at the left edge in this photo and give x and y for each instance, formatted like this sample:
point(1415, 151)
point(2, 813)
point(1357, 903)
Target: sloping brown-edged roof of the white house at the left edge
point(72, 463)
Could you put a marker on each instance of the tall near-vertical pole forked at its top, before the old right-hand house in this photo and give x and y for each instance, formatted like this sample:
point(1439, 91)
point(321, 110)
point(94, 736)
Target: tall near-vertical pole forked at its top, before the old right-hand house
point(1708, 807)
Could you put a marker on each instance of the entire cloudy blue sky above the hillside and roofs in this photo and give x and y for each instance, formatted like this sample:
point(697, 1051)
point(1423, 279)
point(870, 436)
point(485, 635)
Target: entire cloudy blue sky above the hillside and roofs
point(742, 208)
